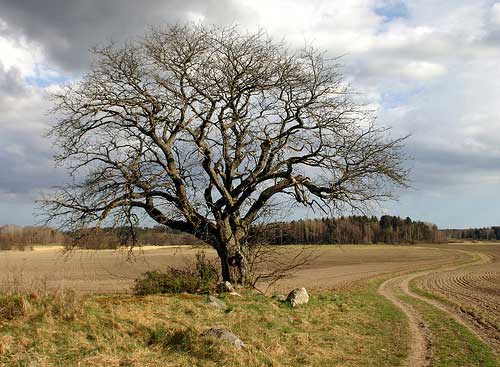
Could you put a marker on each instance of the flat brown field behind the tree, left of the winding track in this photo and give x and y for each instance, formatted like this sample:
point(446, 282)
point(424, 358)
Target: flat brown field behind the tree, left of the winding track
point(107, 271)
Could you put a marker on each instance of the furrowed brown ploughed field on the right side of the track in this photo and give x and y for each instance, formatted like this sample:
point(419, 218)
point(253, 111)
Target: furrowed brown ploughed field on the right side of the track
point(475, 291)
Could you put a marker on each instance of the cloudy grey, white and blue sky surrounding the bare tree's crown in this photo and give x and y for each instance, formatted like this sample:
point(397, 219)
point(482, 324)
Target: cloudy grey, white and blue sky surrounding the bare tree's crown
point(429, 69)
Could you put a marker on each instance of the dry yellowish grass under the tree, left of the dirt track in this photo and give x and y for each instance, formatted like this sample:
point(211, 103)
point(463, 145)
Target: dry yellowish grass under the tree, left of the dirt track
point(349, 328)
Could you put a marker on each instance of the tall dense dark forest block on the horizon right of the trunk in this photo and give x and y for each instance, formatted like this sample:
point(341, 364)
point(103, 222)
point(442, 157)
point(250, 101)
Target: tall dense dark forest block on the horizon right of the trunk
point(352, 229)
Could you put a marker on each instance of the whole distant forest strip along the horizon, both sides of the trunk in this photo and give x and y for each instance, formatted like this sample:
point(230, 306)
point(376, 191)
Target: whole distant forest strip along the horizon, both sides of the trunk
point(352, 229)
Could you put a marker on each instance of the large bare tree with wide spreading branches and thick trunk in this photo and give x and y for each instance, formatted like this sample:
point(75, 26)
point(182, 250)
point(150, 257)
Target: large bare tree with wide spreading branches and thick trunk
point(201, 127)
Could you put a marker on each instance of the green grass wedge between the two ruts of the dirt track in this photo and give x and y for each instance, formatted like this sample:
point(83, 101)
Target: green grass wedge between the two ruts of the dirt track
point(452, 343)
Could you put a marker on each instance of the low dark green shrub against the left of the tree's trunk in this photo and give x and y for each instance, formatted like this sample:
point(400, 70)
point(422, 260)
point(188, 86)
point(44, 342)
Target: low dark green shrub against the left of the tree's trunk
point(197, 277)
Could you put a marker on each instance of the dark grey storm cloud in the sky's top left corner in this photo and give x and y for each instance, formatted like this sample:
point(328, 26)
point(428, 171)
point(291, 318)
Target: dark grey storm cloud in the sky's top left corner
point(67, 29)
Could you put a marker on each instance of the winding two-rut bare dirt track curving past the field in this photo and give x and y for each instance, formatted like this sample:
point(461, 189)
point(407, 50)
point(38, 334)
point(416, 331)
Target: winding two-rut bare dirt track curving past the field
point(421, 337)
